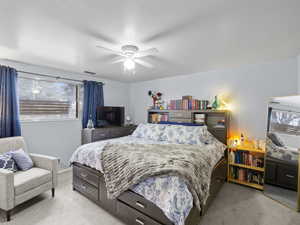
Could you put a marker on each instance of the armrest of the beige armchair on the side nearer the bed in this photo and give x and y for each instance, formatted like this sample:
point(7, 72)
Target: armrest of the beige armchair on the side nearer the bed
point(47, 163)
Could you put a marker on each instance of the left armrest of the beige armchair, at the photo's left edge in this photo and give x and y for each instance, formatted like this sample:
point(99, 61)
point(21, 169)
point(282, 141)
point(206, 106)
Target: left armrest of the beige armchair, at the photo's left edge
point(6, 189)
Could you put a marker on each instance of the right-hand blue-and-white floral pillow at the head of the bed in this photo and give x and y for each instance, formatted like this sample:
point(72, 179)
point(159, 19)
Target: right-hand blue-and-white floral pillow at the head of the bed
point(178, 134)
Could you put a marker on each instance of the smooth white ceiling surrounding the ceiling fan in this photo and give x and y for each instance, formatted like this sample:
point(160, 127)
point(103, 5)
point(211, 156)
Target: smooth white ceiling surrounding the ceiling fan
point(191, 35)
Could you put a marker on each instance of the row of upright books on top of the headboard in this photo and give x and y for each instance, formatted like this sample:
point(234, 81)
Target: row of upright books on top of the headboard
point(188, 103)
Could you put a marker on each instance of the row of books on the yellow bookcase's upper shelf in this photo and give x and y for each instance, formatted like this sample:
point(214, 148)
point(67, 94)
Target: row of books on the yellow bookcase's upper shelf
point(246, 158)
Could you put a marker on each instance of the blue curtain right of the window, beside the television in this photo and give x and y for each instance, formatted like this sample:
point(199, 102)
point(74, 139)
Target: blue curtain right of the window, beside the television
point(92, 98)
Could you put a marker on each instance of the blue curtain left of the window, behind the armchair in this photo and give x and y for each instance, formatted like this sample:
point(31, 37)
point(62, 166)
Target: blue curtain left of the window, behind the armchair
point(9, 103)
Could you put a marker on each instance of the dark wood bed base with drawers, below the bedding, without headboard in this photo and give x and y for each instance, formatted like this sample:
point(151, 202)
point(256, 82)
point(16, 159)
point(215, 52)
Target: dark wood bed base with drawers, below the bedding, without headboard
point(131, 207)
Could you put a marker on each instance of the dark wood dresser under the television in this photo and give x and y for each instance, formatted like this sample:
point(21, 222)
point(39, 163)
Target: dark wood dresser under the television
point(99, 134)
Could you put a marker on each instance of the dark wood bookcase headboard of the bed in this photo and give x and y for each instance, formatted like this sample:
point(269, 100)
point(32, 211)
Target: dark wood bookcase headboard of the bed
point(212, 119)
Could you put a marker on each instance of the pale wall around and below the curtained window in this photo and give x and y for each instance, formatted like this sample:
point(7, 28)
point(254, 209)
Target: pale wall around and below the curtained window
point(61, 138)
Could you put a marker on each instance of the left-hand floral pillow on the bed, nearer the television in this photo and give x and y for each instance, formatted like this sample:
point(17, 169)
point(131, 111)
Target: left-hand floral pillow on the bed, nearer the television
point(149, 131)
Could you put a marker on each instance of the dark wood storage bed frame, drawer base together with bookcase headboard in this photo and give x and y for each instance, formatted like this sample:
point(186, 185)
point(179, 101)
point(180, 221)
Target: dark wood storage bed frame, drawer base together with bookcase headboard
point(133, 208)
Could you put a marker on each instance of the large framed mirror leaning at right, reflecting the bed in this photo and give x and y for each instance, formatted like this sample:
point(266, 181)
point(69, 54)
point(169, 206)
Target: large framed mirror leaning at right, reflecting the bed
point(282, 151)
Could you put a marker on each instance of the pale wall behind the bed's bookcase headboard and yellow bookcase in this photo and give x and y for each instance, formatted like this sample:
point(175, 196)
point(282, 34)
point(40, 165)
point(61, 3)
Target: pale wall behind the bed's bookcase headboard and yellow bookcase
point(250, 88)
